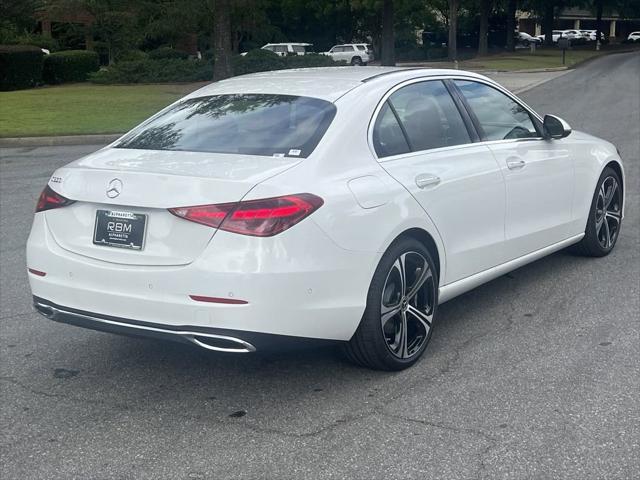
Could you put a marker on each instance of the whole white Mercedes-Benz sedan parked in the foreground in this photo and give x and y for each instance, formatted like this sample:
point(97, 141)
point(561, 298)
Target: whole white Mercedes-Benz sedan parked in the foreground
point(340, 204)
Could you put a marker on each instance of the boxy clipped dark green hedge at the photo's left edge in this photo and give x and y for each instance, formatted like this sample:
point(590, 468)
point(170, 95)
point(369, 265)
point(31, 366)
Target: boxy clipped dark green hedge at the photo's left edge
point(20, 66)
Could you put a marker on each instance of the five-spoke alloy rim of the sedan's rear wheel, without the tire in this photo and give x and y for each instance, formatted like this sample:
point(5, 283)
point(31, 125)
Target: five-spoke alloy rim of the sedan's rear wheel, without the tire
point(407, 307)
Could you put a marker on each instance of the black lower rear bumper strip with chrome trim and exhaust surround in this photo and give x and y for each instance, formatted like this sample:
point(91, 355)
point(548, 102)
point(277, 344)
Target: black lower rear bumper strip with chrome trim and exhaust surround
point(219, 340)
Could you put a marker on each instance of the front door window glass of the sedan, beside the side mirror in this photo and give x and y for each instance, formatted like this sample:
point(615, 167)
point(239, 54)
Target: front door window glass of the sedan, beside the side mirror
point(500, 117)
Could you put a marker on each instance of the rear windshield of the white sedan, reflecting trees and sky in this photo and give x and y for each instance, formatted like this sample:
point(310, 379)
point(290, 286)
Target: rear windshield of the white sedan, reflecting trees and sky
point(250, 124)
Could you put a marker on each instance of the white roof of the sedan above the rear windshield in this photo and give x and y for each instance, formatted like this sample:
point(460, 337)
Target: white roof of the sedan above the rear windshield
point(326, 83)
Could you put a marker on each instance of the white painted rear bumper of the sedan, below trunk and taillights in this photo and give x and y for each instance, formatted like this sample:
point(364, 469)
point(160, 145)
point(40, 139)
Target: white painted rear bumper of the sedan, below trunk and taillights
point(297, 284)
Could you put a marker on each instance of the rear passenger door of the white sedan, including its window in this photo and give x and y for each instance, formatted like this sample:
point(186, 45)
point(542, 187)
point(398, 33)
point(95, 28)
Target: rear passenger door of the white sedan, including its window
point(422, 141)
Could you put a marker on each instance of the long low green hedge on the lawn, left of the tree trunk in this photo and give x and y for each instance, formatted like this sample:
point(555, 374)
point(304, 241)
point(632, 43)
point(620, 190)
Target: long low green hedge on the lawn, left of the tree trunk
point(154, 71)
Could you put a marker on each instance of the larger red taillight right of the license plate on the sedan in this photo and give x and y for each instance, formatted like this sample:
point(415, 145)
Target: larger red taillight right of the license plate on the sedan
point(260, 218)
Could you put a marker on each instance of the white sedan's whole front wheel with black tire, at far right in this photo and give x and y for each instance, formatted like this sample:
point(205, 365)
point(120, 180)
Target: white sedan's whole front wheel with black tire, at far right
point(603, 222)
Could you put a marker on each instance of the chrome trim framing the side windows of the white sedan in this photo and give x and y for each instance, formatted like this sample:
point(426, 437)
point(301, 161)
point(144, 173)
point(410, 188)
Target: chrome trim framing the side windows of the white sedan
point(442, 78)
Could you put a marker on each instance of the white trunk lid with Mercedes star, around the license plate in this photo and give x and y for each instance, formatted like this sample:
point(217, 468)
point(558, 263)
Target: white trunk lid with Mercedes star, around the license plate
point(147, 183)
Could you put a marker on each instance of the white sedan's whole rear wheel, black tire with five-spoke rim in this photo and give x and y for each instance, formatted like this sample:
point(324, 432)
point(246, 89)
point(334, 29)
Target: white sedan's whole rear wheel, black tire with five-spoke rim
point(371, 346)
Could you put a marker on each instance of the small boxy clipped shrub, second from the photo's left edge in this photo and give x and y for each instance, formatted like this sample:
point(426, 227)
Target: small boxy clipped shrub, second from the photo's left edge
point(69, 66)
